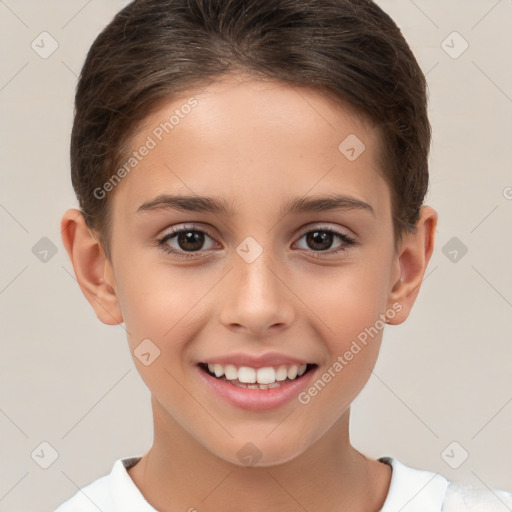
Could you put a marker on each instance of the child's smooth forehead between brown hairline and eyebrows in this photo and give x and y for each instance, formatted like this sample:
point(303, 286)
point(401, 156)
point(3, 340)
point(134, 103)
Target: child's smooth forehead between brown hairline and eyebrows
point(251, 140)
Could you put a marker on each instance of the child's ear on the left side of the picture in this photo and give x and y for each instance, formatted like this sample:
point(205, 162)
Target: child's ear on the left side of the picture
point(93, 271)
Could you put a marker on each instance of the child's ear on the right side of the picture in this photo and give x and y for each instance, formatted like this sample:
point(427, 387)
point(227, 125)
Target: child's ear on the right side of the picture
point(411, 261)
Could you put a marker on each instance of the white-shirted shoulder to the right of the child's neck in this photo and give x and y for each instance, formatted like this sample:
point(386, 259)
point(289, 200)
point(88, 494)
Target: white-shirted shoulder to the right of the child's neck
point(417, 490)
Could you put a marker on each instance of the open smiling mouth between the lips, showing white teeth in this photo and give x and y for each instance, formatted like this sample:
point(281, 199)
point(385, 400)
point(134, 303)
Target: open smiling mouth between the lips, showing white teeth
point(268, 377)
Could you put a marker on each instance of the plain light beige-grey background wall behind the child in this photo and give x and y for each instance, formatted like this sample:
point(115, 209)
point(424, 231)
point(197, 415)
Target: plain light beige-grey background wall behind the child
point(443, 376)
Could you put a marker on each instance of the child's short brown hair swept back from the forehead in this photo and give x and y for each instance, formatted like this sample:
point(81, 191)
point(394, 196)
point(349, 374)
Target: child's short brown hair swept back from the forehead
point(155, 49)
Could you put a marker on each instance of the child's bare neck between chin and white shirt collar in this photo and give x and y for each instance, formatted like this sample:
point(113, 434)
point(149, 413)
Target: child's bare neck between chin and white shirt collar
point(178, 474)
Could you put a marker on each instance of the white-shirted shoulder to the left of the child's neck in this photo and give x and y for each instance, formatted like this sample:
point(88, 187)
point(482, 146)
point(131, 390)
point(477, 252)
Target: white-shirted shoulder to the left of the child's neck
point(109, 493)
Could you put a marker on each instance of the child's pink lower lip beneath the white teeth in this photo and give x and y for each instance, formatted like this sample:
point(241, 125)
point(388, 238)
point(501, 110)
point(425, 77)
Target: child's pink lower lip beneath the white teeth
point(256, 399)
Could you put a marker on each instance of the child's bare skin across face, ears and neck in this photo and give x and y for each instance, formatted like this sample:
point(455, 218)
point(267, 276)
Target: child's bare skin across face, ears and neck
point(256, 145)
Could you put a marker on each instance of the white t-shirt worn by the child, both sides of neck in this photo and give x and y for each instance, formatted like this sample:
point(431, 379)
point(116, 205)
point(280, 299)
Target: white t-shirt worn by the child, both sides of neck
point(411, 490)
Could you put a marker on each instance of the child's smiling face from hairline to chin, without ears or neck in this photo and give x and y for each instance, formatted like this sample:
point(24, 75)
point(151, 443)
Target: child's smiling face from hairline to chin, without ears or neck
point(255, 147)
